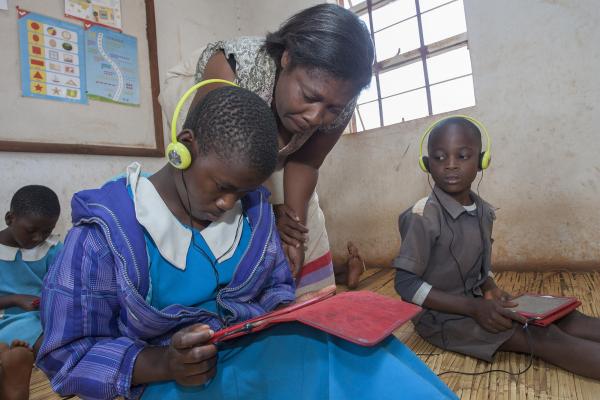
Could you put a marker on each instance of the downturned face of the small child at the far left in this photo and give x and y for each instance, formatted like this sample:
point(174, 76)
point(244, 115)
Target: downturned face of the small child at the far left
point(28, 231)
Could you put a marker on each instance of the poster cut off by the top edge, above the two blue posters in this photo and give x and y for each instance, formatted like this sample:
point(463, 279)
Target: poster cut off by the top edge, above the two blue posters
point(98, 12)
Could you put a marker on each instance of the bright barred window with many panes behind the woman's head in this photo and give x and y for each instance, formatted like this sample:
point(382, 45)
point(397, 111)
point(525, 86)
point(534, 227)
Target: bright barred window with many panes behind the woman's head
point(422, 62)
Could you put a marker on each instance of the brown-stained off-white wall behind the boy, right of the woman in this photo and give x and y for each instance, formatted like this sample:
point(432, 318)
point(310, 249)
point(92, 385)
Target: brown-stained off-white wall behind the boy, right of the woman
point(537, 88)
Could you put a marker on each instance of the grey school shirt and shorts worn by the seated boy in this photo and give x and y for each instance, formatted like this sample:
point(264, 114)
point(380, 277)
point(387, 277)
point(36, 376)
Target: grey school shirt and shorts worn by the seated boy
point(449, 248)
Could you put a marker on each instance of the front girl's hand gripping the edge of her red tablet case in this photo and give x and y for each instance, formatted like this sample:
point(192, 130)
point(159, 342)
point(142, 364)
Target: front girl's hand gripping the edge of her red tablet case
point(190, 360)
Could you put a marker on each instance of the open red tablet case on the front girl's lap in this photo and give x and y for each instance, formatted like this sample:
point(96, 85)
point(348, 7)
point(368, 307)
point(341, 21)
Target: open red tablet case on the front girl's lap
point(361, 317)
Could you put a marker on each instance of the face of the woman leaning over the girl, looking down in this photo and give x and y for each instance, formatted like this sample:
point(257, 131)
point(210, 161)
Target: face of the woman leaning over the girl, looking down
point(308, 98)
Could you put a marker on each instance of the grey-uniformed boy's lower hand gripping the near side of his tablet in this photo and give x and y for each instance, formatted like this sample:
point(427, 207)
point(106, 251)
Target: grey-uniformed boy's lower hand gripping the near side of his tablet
point(493, 315)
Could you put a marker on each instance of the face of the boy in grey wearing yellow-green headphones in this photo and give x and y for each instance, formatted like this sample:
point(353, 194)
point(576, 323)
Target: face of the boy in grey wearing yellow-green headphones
point(454, 159)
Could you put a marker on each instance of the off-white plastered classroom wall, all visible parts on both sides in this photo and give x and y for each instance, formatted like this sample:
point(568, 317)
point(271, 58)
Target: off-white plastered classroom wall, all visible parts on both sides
point(537, 89)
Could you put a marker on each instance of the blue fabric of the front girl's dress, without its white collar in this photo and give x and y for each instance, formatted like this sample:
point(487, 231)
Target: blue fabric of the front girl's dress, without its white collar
point(290, 361)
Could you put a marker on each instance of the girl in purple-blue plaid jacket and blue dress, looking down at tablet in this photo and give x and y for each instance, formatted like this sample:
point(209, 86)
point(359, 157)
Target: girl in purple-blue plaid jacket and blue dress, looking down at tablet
point(154, 266)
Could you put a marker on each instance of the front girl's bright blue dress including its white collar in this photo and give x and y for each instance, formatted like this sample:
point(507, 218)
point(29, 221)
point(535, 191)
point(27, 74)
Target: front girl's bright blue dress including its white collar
point(289, 361)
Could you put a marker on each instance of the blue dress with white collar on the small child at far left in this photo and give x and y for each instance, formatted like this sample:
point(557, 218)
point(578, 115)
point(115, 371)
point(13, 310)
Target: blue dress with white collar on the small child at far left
point(22, 272)
